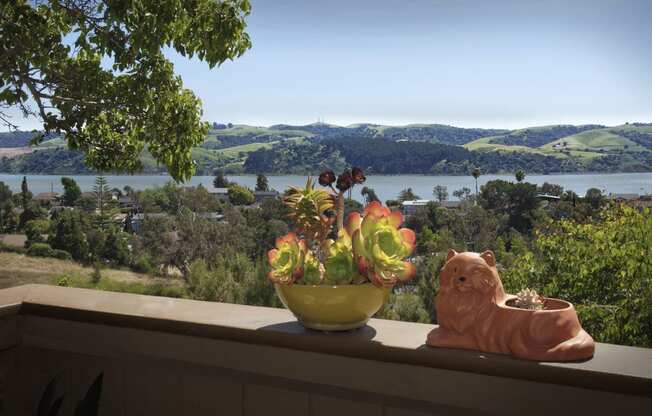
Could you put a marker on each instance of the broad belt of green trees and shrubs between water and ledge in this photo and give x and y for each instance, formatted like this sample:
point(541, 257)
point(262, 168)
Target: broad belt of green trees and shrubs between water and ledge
point(586, 249)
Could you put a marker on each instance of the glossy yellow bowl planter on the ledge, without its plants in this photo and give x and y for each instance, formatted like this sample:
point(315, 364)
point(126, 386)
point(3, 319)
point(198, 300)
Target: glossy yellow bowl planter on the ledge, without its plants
point(332, 308)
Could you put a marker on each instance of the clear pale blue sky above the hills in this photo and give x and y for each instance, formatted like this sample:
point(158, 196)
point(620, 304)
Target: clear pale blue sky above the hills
point(468, 63)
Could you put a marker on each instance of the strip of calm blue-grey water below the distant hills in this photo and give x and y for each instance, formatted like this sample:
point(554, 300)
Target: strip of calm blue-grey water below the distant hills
point(386, 187)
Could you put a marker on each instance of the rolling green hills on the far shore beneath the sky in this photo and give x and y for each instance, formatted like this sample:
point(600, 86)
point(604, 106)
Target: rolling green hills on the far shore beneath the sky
point(415, 148)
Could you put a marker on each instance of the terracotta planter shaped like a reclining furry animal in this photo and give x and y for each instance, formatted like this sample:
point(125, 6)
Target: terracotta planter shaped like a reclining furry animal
point(474, 312)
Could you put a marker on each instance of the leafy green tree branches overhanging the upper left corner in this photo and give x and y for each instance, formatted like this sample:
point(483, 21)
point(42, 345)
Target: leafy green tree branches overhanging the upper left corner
point(55, 56)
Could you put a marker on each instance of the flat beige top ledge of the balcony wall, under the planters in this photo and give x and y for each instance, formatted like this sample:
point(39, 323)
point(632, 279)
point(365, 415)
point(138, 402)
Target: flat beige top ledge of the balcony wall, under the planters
point(616, 369)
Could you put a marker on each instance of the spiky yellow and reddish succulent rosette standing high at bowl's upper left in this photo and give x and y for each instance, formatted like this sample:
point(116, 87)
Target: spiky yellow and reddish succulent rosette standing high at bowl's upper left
point(309, 209)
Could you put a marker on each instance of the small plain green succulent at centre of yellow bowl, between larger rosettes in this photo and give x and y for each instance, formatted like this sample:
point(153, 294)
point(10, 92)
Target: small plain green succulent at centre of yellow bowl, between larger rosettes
point(340, 265)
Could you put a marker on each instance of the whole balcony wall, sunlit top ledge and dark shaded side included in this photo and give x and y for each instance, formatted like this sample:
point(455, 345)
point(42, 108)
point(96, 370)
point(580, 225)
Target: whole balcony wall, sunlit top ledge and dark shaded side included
point(163, 356)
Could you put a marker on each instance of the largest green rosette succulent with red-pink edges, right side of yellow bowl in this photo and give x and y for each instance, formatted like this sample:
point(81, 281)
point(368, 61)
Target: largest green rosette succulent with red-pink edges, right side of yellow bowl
point(380, 247)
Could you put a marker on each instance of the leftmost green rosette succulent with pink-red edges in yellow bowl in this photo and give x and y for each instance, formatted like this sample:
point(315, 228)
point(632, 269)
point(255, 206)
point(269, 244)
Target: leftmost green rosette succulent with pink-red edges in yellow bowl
point(287, 259)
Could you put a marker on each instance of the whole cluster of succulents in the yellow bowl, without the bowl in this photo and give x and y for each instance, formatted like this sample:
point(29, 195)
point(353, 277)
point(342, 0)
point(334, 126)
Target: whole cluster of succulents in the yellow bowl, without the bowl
point(371, 247)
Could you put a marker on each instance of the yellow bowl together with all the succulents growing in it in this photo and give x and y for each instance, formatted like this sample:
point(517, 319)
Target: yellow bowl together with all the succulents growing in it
point(335, 276)
